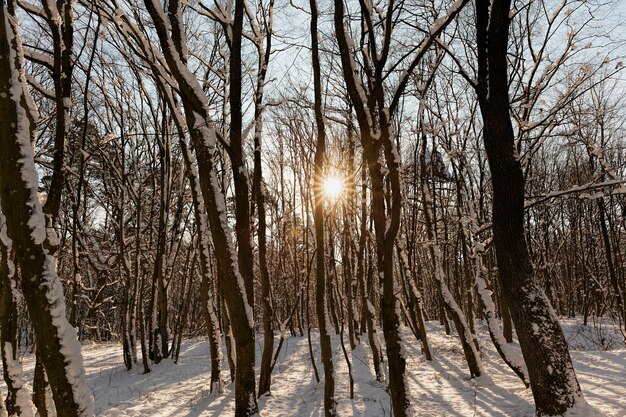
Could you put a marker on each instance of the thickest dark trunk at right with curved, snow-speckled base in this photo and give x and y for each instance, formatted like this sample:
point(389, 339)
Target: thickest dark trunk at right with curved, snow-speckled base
point(552, 376)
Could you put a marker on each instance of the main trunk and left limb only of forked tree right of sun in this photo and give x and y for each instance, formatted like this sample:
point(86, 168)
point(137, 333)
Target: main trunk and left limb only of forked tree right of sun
point(377, 139)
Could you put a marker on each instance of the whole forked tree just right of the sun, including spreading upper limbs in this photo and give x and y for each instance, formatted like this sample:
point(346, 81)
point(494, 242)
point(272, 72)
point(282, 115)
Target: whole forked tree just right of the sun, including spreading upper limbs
point(369, 94)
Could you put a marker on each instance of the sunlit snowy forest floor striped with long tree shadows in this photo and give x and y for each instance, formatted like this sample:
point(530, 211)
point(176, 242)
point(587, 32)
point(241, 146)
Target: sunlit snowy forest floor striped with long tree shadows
point(439, 388)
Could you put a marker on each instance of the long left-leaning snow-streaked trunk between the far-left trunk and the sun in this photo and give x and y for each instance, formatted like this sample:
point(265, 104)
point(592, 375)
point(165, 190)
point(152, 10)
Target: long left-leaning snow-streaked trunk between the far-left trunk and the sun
point(204, 139)
